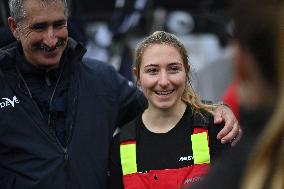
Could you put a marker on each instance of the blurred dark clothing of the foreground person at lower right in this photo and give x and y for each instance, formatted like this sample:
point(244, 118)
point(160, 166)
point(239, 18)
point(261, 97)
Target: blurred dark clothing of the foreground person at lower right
point(231, 167)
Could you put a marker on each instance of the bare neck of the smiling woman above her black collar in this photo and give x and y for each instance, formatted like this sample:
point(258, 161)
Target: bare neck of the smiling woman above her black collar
point(162, 121)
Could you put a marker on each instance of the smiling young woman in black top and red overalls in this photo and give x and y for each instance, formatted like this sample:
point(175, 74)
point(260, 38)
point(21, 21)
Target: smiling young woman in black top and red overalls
point(173, 142)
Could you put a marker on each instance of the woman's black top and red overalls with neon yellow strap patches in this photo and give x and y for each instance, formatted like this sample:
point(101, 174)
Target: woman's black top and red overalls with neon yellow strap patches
point(141, 159)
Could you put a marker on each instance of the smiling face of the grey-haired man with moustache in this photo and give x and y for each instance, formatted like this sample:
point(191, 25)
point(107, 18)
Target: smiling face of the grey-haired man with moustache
point(43, 32)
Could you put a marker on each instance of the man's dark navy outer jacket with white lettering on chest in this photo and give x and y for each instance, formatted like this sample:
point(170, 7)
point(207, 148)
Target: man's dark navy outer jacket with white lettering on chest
point(31, 157)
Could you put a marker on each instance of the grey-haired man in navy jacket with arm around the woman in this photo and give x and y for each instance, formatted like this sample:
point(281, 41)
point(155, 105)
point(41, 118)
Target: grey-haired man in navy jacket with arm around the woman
point(57, 114)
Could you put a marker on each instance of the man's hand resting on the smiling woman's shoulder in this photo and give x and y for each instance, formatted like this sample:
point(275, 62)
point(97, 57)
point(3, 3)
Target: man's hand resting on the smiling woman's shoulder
point(232, 131)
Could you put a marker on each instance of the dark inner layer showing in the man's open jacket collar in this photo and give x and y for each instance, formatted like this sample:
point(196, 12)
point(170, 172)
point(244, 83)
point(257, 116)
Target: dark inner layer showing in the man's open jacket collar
point(42, 84)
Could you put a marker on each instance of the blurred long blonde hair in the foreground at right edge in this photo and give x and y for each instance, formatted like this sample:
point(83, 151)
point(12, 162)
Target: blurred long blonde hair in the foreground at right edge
point(265, 169)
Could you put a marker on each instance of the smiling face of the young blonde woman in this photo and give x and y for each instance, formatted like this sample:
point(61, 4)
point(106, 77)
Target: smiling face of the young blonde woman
point(162, 76)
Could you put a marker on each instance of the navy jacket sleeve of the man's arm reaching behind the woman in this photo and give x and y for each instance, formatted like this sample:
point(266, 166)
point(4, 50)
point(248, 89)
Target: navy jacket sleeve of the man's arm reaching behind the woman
point(131, 101)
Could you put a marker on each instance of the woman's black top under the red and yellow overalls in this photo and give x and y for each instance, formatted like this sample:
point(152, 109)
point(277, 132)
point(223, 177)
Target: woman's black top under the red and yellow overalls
point(163, 150)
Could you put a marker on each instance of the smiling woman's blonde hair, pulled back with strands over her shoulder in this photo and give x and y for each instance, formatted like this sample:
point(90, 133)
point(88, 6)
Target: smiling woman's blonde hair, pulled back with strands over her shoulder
point(162, 37)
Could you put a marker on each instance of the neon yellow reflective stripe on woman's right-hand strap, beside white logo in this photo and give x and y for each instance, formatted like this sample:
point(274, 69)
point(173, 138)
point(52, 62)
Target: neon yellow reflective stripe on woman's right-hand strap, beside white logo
point(200, 148)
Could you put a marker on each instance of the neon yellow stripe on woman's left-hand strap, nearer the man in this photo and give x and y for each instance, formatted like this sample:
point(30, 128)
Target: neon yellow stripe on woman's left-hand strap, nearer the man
point(128, 158)
